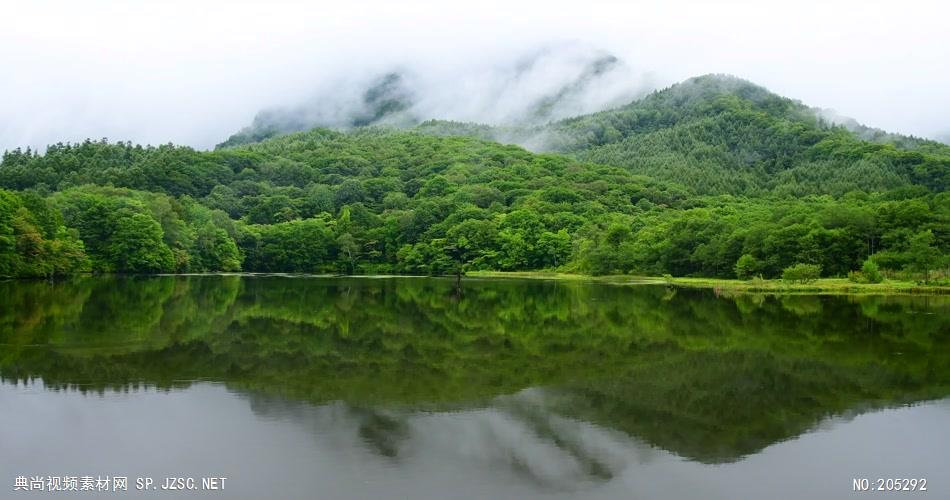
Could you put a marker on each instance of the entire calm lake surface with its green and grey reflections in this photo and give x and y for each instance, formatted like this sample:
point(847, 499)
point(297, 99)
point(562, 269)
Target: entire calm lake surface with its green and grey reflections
point(408, 388)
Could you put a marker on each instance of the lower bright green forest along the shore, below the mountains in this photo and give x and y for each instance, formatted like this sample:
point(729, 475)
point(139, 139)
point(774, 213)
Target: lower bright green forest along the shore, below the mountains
point(385, 201)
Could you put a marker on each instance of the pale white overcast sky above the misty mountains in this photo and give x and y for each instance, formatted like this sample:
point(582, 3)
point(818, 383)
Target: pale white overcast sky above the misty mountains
point(195, 71)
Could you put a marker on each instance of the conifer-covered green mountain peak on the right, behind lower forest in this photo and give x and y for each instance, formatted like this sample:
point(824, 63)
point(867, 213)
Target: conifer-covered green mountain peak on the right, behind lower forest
point(718, 134)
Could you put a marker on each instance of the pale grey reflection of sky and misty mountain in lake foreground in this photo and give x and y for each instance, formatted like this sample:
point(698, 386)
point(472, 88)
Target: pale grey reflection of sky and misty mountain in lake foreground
point(512, 447)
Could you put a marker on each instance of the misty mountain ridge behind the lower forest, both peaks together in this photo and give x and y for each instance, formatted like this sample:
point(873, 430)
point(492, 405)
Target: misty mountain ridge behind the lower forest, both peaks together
point(713, 134)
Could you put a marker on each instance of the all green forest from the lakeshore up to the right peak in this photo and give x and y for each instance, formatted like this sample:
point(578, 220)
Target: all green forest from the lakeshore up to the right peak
point(713, 177)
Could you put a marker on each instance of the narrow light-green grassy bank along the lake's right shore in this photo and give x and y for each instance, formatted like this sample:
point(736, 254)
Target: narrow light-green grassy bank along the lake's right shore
point(821, 286)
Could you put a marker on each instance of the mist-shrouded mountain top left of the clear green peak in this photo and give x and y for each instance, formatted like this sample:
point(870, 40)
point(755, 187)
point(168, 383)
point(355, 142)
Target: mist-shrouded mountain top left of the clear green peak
point(541, 86)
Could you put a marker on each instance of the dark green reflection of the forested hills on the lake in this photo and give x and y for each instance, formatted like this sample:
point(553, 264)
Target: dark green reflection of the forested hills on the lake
point(711, 378)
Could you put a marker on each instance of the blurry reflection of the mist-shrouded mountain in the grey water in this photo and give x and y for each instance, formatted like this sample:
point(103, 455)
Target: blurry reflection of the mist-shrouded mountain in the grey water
point(518, 432)
